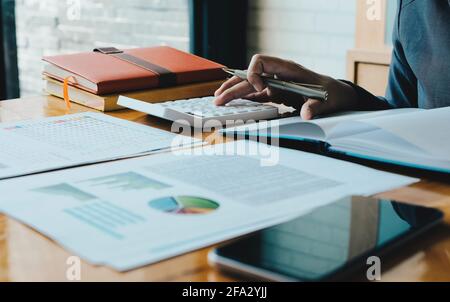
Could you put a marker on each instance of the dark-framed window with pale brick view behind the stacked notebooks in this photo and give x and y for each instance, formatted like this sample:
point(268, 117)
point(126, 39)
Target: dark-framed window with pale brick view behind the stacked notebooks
point(50, 27)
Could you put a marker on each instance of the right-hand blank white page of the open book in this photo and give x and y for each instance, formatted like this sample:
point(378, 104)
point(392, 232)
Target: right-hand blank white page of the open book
point(417, 139)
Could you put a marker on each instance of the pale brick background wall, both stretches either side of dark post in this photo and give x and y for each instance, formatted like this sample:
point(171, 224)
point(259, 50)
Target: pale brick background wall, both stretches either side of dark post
point(315, 33)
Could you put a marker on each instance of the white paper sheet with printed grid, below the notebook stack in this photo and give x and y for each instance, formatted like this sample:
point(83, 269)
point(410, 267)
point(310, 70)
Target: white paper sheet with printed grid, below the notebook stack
point(70, 140)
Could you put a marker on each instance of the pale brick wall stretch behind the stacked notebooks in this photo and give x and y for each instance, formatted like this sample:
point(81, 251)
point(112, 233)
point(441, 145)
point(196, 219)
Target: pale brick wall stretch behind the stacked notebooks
point(46, 27)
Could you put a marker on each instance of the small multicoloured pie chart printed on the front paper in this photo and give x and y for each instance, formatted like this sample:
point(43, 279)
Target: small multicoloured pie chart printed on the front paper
point(184, 205)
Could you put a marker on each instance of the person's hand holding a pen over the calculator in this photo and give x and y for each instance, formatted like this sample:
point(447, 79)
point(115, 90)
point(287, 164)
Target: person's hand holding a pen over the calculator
point(341, 96)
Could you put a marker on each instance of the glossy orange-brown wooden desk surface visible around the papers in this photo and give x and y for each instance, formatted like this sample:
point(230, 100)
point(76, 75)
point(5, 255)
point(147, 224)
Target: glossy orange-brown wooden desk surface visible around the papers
point(25, 255)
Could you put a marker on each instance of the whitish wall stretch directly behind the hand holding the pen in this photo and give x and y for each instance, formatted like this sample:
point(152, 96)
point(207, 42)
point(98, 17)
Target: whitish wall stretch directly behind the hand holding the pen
point(314, 33)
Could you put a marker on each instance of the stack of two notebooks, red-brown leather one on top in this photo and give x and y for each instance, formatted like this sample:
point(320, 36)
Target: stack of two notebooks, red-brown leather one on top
point(96, 79)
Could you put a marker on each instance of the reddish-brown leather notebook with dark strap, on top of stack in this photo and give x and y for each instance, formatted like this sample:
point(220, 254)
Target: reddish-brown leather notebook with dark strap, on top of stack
point(109, 70)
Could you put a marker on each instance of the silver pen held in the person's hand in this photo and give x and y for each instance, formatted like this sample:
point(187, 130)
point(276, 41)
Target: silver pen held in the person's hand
point(307, 90)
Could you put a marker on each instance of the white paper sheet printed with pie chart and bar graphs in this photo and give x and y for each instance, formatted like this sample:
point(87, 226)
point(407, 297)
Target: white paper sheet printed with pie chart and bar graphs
point(138, 211)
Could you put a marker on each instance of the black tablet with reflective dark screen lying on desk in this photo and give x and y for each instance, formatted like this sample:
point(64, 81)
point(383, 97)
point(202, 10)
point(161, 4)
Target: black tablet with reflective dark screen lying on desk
point(332, 243)
